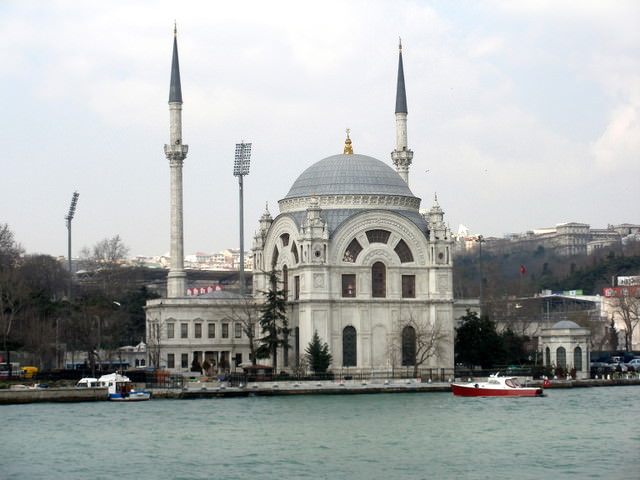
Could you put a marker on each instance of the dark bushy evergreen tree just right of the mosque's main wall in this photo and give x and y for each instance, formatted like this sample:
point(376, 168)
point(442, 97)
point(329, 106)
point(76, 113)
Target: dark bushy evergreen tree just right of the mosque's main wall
point(478, 342)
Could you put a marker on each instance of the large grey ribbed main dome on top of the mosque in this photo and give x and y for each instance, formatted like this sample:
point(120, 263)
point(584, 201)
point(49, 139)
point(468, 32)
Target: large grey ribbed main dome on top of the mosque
point(349, 175)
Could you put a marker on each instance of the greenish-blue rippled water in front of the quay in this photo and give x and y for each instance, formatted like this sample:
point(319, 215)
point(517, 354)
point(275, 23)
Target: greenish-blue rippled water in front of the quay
point(574, 433)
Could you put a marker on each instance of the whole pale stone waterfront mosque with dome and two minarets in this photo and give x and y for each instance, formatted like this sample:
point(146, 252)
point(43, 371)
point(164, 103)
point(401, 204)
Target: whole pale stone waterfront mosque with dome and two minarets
point(359, 262)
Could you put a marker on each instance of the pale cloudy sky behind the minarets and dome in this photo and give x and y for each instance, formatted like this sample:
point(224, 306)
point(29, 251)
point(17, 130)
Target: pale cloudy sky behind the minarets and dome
point(522, 115)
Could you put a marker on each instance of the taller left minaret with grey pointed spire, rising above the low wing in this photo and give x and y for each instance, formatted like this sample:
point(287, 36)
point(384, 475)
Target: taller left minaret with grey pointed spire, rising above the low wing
point(176, 152)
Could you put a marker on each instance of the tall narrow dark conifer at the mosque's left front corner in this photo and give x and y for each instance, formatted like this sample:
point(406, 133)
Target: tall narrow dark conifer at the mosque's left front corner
point(273, 321)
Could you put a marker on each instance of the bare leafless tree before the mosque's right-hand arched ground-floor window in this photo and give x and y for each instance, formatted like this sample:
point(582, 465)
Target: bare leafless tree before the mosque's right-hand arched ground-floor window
point(418, 342)
